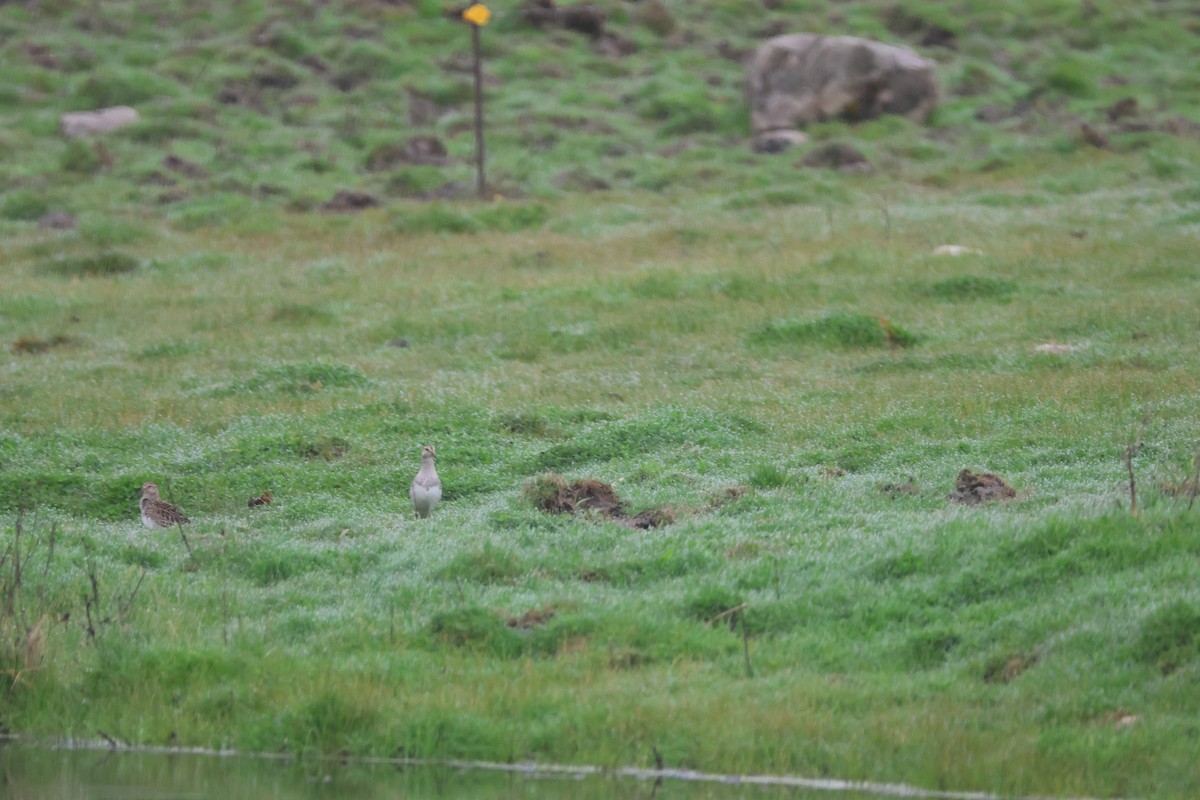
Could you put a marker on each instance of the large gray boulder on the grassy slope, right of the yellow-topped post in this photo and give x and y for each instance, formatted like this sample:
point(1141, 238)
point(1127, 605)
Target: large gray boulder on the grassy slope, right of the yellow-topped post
point(803, 79)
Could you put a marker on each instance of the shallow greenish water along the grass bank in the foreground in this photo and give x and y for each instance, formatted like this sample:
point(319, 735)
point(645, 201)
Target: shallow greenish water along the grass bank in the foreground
point(45, 774)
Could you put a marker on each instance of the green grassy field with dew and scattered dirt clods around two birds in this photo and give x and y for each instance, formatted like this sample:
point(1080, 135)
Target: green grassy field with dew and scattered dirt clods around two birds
point(773, 356)
